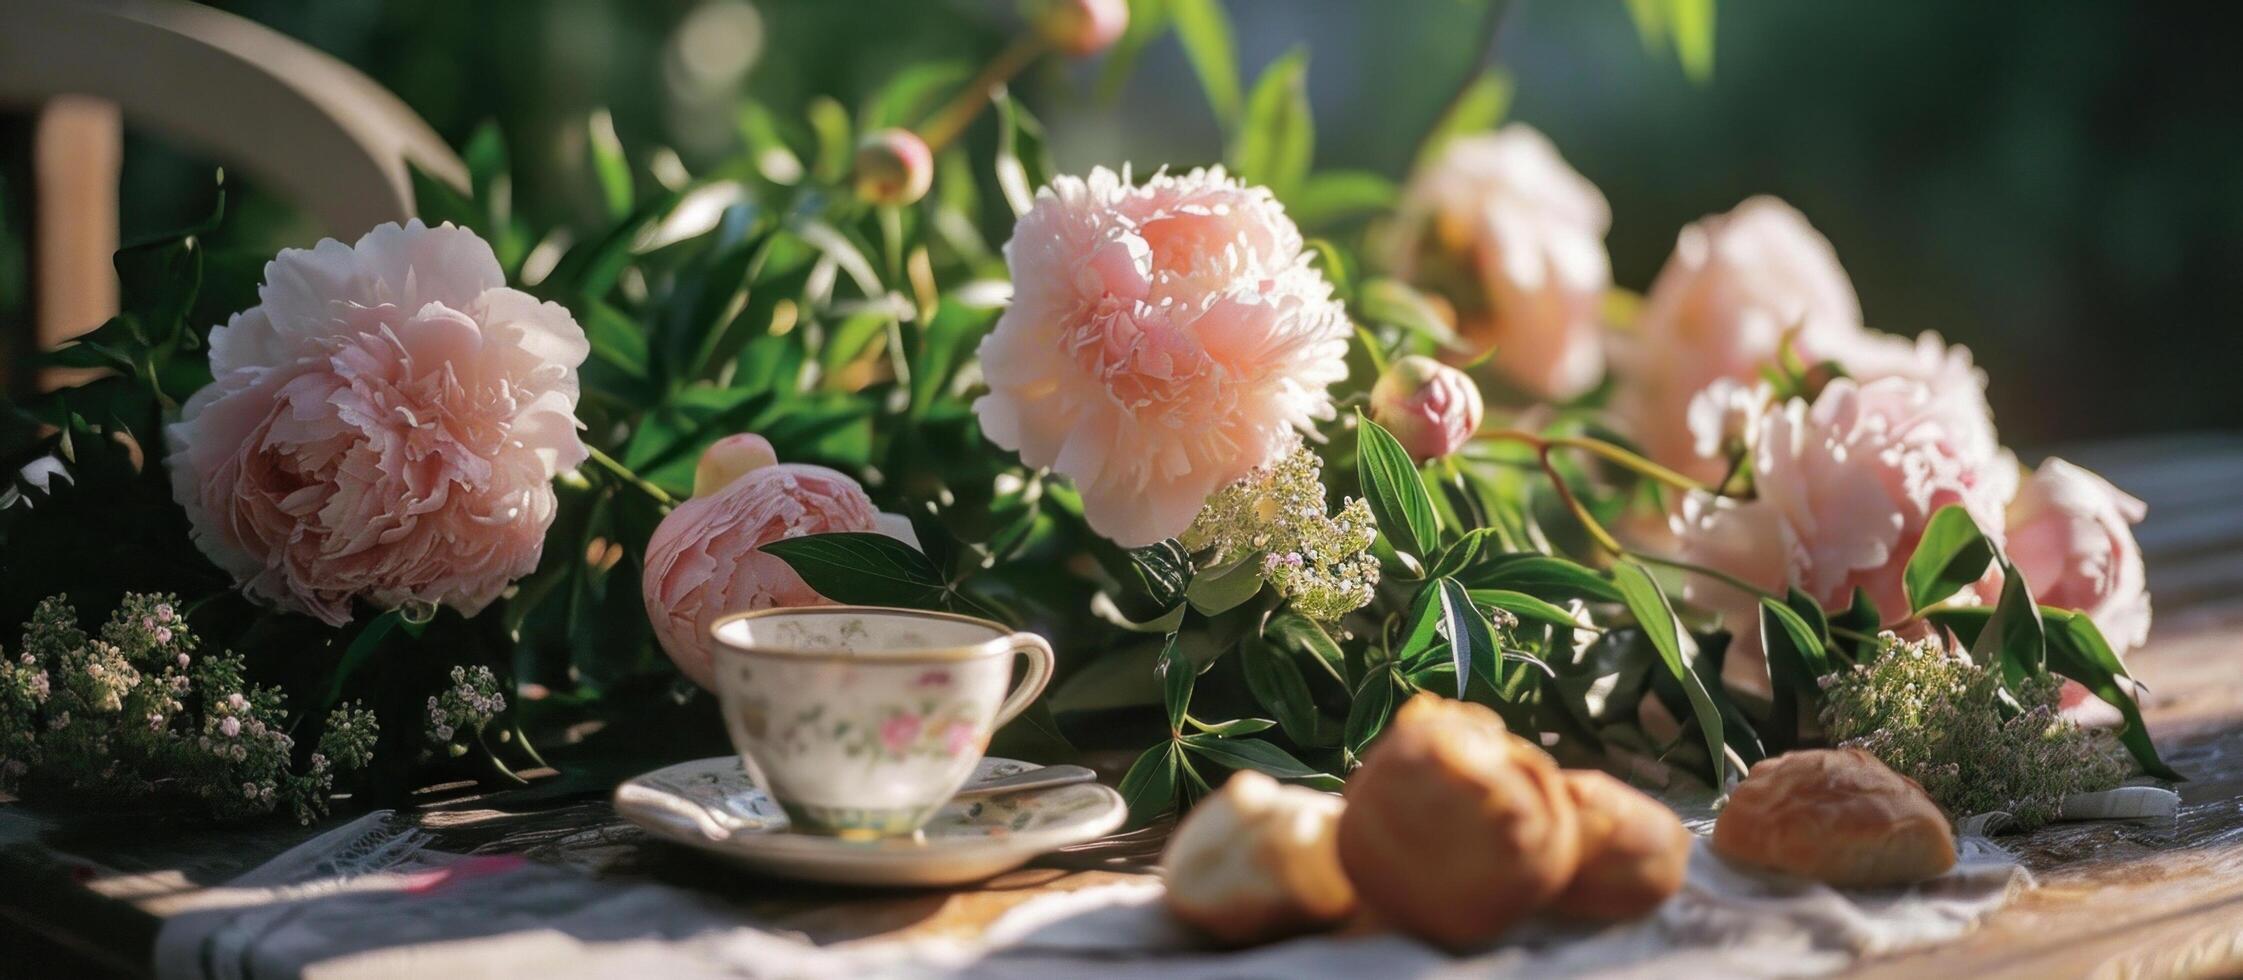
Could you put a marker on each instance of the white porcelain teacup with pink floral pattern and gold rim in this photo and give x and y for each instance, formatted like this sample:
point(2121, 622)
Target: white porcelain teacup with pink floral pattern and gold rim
point(865, 721)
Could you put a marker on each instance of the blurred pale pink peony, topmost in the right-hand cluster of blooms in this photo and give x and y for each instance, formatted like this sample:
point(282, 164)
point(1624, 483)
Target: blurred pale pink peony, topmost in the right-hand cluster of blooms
point(1719, 311)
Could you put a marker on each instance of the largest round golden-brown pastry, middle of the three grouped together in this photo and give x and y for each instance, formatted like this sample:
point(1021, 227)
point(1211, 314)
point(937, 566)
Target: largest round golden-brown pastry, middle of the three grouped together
point(1455, 826)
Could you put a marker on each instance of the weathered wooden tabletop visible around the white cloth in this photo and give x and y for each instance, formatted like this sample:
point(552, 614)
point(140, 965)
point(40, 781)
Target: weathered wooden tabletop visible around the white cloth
point(2116, 900)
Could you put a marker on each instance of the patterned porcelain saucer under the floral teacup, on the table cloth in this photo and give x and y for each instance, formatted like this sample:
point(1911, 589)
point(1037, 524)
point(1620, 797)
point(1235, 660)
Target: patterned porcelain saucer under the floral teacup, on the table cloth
point(712, 806)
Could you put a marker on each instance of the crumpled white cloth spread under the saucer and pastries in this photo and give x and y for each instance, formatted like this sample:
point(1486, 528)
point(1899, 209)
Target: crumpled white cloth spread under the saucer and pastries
point(373, 900)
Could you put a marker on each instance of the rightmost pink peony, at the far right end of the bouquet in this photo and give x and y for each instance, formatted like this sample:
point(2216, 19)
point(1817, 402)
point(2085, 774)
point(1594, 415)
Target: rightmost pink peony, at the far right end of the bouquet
point(2071, 537)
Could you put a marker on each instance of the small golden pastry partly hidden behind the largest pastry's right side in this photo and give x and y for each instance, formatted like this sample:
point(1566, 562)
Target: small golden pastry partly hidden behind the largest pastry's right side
point(1634, 851)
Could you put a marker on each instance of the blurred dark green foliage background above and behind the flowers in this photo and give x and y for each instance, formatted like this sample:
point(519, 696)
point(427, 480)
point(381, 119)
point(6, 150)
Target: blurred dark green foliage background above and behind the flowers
point(2056, 185)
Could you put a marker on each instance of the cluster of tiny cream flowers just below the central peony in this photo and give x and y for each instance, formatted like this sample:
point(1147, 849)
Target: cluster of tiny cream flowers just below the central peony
point(1320, 562)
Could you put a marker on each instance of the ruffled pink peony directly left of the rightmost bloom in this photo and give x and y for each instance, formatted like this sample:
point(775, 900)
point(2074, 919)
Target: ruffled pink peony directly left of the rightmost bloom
point(1845, 488)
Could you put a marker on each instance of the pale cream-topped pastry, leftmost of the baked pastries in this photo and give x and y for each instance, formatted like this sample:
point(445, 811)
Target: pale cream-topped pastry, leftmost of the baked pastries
point(1257, 862)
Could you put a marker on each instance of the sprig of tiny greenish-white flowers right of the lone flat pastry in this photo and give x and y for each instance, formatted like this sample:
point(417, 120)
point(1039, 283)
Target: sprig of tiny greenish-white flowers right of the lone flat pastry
point(1939, 719)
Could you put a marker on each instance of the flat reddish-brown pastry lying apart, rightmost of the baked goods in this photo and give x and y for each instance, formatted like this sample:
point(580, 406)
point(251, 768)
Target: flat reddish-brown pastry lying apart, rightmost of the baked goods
point(1838, 817)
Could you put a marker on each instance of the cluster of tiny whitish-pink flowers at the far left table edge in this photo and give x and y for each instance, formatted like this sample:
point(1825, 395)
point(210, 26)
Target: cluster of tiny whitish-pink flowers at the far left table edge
point(136, 712)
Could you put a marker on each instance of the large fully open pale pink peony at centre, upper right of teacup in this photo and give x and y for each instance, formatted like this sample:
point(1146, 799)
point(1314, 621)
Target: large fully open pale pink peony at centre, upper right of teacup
point(1163, 342)
